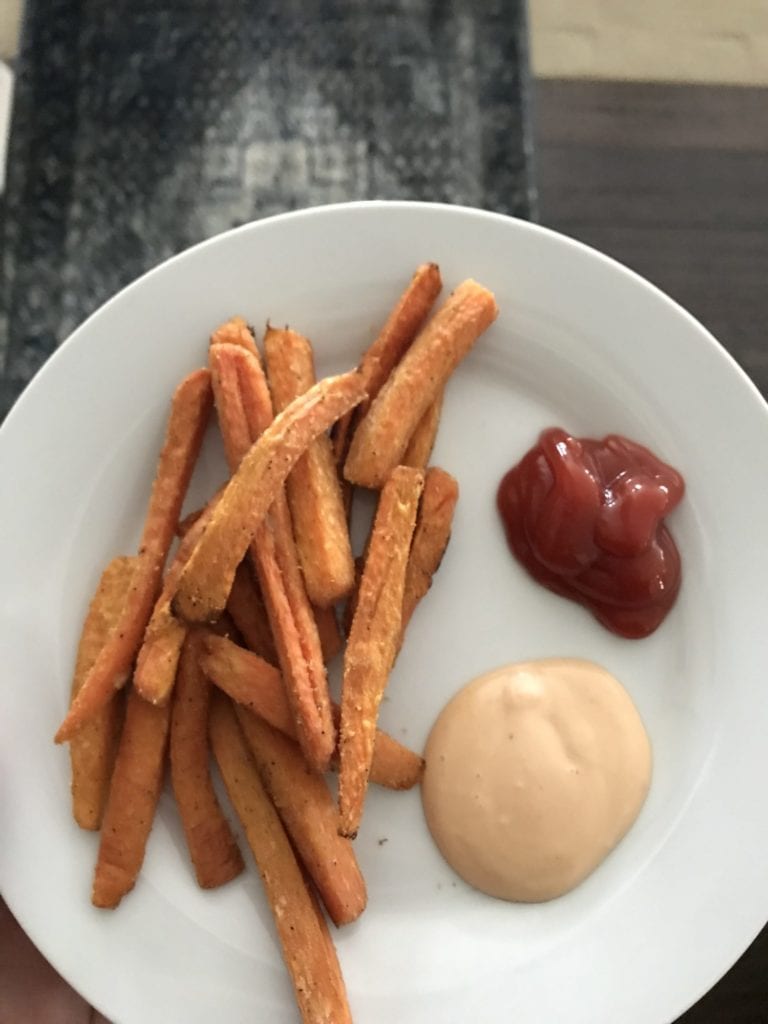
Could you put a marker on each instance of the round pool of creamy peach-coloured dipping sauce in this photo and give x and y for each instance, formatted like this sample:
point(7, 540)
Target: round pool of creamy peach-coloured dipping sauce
point(535, 773)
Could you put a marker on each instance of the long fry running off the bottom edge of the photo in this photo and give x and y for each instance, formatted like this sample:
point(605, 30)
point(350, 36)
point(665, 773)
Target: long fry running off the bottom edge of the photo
point(308, 949)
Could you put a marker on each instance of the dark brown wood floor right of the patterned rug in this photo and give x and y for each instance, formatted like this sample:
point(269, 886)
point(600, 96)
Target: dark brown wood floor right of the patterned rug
point(673, 182)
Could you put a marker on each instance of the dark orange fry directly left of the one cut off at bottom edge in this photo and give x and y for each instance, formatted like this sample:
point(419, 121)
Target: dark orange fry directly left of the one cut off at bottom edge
point(212, 846)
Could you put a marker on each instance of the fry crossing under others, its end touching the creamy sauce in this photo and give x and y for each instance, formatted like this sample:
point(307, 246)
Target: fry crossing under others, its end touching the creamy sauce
point(252, 682)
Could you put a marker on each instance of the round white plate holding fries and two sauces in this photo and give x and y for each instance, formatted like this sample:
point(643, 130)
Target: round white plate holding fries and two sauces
point(580, 343)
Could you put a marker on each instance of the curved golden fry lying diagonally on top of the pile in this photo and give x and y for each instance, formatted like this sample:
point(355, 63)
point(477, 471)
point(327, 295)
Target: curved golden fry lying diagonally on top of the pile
point(207, 578)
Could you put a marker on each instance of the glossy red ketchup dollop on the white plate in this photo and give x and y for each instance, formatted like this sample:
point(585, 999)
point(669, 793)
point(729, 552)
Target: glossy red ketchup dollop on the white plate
point(586, 520)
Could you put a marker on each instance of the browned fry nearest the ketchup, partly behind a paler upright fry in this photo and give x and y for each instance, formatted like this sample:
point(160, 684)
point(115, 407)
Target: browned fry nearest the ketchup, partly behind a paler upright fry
point(431, 538)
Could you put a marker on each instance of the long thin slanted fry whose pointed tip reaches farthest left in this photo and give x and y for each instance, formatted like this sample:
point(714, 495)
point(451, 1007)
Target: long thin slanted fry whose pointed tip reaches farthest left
point(190, 412)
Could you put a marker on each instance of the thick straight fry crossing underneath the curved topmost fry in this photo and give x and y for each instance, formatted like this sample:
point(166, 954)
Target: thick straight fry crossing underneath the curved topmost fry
point(314, 492)
